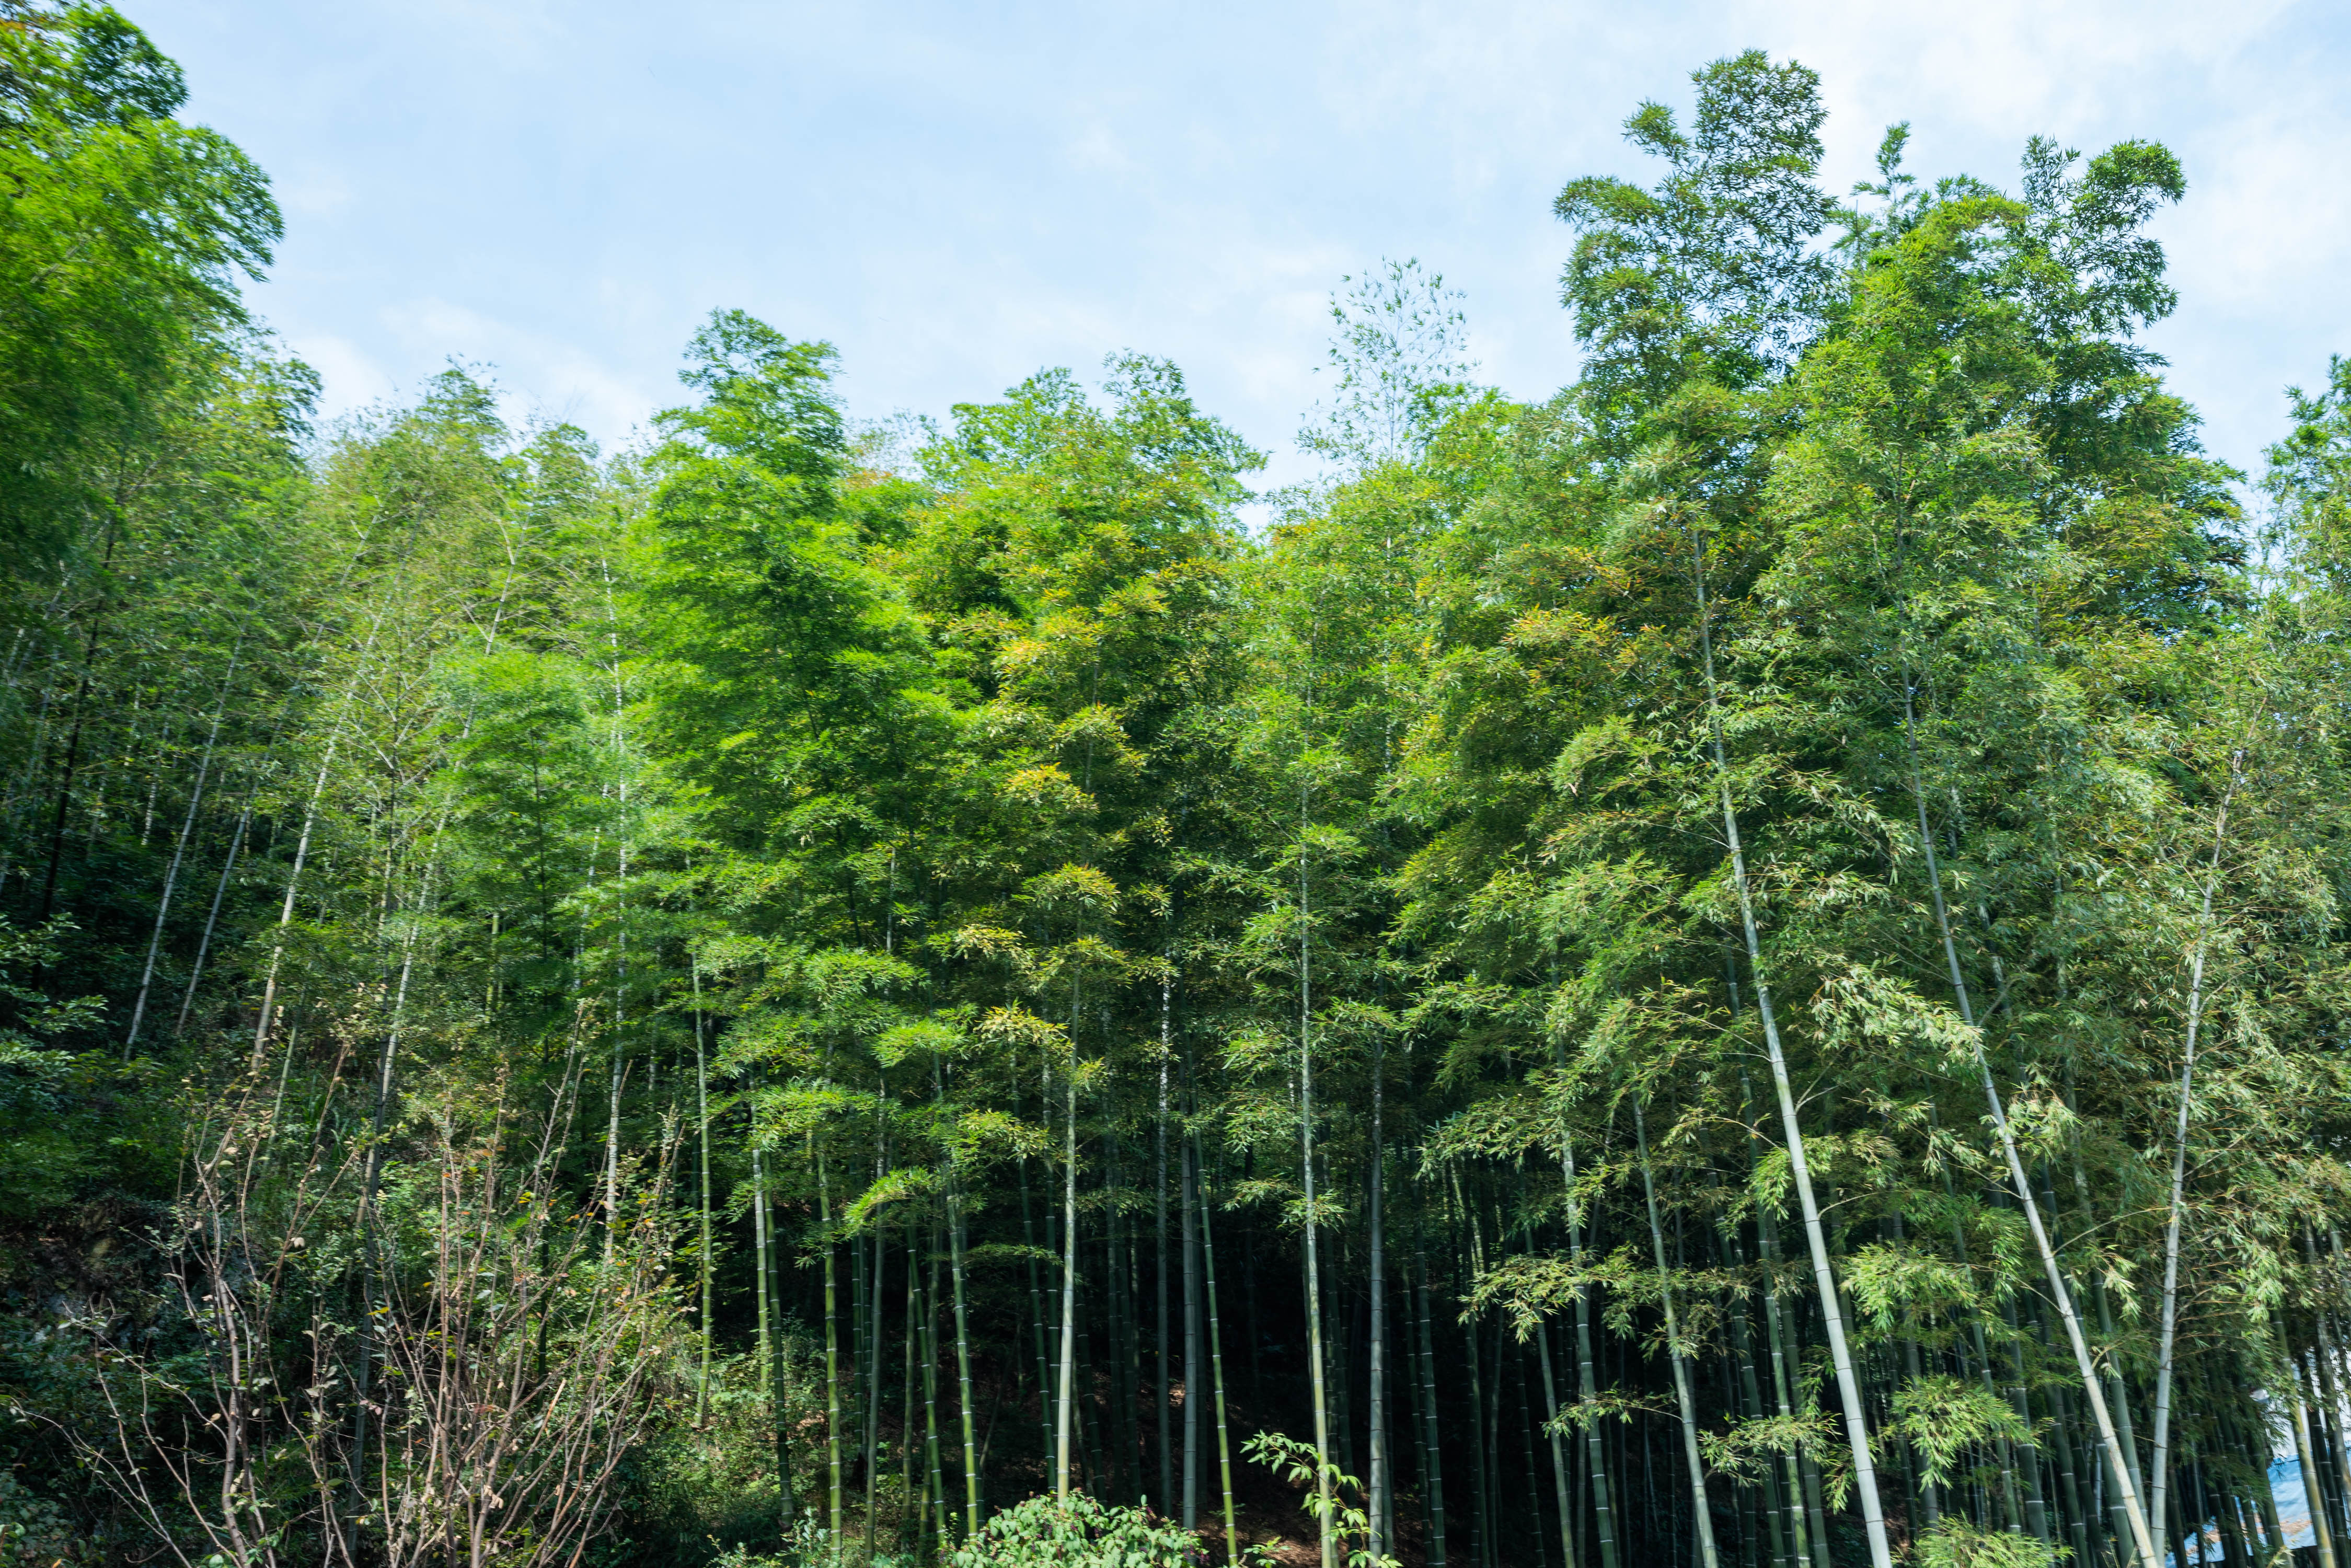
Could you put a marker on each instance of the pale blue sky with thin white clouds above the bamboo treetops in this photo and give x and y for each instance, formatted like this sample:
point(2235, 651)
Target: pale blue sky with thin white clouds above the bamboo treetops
point(963, 194)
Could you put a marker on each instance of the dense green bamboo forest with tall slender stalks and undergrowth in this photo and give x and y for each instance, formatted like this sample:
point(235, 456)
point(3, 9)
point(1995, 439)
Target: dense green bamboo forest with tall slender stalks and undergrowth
point(1732, 967)
